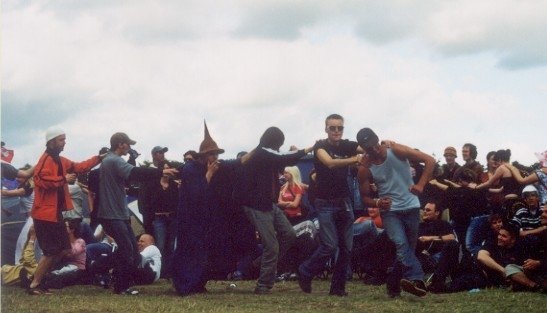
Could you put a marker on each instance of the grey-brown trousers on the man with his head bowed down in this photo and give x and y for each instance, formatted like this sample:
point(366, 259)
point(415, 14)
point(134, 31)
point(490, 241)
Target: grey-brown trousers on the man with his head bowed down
point(277, 236)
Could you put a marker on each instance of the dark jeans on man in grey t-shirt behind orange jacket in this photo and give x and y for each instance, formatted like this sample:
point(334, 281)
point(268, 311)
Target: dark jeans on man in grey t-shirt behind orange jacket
point(126, 257)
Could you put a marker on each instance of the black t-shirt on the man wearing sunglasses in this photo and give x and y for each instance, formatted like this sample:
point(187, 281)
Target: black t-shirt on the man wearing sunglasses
point(333, 183)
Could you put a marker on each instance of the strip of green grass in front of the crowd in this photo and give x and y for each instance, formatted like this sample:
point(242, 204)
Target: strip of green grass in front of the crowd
point(286, 297)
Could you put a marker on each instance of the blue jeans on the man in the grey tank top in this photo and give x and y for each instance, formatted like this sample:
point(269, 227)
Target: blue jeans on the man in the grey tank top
point(402, 228)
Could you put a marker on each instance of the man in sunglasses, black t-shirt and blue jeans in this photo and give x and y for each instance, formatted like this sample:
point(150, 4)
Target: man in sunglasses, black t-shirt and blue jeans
point(332, 158)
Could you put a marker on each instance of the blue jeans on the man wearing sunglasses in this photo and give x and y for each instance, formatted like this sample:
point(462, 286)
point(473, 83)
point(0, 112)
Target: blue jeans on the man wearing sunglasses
point(336, 234)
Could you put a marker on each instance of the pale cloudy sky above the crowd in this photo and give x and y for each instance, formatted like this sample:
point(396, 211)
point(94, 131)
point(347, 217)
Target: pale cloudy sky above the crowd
point(424, 73)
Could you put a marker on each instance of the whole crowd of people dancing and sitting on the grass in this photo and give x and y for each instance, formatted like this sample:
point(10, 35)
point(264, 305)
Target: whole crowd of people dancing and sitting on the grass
point(379, 209)
